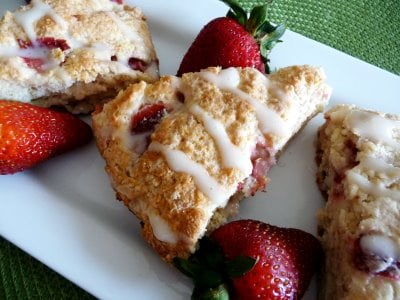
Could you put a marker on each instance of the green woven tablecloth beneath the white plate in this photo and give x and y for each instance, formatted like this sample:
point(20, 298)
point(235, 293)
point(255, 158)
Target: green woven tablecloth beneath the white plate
point(369, 30)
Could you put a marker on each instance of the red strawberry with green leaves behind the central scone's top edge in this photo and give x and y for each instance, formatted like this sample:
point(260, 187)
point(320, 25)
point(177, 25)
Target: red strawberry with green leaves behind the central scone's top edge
point(237, 40)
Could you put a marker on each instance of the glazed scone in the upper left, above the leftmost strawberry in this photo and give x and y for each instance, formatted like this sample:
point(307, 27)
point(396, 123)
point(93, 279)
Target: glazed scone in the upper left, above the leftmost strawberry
point(73, 53)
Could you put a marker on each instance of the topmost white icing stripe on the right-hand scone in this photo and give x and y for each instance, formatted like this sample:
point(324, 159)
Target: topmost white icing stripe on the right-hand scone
point(374, 127)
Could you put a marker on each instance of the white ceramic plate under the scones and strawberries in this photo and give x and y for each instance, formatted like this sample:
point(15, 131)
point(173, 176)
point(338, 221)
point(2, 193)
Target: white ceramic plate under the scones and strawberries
point(64, 213)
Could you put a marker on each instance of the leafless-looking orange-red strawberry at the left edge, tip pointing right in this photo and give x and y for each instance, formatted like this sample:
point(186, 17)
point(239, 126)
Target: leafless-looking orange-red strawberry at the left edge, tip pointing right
point(30, 135)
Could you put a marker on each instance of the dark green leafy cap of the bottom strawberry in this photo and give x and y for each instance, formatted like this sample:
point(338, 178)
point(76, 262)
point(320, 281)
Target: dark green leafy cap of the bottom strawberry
point(211, 272)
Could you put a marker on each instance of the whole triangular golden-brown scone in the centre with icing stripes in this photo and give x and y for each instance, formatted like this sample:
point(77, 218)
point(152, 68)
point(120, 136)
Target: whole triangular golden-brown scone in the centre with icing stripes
point(220, 133)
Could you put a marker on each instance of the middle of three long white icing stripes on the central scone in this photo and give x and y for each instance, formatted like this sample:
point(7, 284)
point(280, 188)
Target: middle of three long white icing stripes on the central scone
point(232, 156)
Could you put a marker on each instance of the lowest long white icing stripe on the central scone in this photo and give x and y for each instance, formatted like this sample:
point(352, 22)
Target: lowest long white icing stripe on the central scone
point(179, 162)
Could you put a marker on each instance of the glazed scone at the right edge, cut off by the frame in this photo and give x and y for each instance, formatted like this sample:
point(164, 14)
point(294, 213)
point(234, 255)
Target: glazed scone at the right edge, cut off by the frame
point(359, 171)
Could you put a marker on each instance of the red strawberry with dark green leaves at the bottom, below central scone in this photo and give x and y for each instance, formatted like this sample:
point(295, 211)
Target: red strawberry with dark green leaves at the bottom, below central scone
point(255, 261)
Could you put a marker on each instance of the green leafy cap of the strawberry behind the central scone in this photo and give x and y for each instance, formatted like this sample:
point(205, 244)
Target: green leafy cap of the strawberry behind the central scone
point(265, 33)
